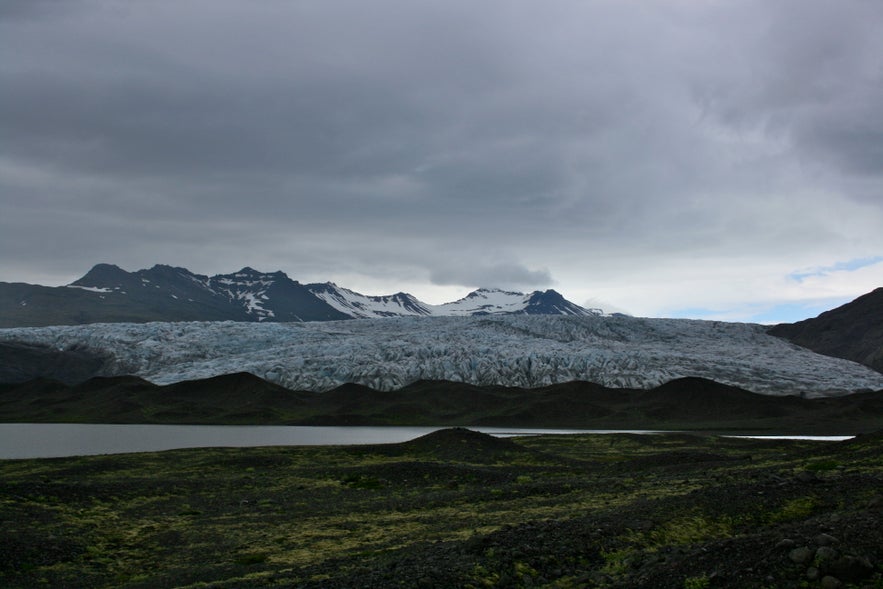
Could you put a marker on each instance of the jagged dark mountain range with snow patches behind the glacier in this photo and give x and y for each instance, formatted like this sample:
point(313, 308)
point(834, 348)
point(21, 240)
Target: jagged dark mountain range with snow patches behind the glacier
point(109, 294)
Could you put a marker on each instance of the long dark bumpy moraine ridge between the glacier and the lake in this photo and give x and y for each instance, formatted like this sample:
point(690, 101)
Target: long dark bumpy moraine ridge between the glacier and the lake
point(689, 403)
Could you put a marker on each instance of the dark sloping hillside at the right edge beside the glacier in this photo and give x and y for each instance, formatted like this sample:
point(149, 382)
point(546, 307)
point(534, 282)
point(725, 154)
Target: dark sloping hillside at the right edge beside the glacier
point(853, 331)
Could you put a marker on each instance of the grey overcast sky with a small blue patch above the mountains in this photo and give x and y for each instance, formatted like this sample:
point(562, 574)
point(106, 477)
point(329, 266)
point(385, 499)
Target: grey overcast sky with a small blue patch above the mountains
point(711, 159)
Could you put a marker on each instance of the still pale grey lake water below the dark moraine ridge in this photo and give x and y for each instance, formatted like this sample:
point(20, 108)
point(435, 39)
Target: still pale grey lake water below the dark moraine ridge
point(53, 440)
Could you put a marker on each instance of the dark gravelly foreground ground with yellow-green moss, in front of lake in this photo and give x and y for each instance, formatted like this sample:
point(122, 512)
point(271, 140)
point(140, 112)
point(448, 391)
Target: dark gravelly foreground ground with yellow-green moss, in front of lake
point(453, 509)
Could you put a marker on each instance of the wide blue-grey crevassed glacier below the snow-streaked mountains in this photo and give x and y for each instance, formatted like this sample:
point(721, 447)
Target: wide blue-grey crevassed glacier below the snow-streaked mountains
point(522, 351)
